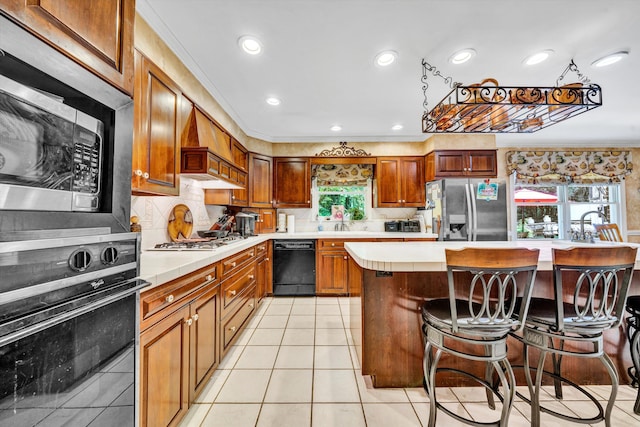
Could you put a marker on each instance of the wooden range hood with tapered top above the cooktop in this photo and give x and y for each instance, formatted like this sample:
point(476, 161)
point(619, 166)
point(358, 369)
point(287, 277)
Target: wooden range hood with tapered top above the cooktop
point(206, 155)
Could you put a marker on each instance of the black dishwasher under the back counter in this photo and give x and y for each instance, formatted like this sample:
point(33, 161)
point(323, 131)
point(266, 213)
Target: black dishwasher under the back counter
point(294, 267)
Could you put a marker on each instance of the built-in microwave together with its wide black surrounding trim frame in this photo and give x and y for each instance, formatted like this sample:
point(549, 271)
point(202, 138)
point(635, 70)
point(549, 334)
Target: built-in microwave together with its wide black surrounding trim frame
point(65, 141)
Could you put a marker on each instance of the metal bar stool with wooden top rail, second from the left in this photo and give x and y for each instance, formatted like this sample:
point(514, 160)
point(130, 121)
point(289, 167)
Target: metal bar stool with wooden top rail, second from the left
point(594, 282)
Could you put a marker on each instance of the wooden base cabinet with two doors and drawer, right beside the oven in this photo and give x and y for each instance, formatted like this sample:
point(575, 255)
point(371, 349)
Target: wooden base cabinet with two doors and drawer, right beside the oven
point(179, 344)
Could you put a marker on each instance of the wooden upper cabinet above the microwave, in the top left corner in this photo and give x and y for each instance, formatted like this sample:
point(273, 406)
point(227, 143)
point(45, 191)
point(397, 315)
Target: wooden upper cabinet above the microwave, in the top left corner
point(97, 35)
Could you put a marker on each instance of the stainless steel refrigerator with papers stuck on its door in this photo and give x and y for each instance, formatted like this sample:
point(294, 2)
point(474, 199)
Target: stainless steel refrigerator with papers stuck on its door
point(468, 209)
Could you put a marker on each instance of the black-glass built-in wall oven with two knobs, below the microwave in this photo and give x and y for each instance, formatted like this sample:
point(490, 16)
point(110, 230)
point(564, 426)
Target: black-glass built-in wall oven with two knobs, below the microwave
point(68, 330)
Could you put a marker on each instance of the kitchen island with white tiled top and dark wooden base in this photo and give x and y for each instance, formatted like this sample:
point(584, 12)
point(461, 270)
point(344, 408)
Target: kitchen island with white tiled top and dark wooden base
point(395, 278)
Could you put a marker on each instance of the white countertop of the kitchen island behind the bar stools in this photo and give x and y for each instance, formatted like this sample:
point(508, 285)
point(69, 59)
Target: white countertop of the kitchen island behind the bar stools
point(429, 256)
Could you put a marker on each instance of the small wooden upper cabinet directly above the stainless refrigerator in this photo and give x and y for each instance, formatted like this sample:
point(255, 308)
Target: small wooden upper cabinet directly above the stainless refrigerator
point(461, 163)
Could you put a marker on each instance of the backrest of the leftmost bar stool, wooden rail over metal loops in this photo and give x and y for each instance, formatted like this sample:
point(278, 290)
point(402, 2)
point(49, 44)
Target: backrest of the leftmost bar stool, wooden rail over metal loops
point(496, 283)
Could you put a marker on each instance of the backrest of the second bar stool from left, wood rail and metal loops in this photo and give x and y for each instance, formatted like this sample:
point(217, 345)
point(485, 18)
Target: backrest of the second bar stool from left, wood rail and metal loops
point(594, 281)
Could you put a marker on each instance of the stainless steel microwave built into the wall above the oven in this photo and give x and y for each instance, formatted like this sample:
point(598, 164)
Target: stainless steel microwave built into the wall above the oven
point(50, 153)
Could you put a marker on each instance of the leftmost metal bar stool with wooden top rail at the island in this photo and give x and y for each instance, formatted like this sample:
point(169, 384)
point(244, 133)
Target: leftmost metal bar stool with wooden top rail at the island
point(494, 288)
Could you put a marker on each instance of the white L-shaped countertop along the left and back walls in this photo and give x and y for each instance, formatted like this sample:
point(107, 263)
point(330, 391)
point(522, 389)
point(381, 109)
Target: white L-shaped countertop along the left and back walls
point(158, 267)
